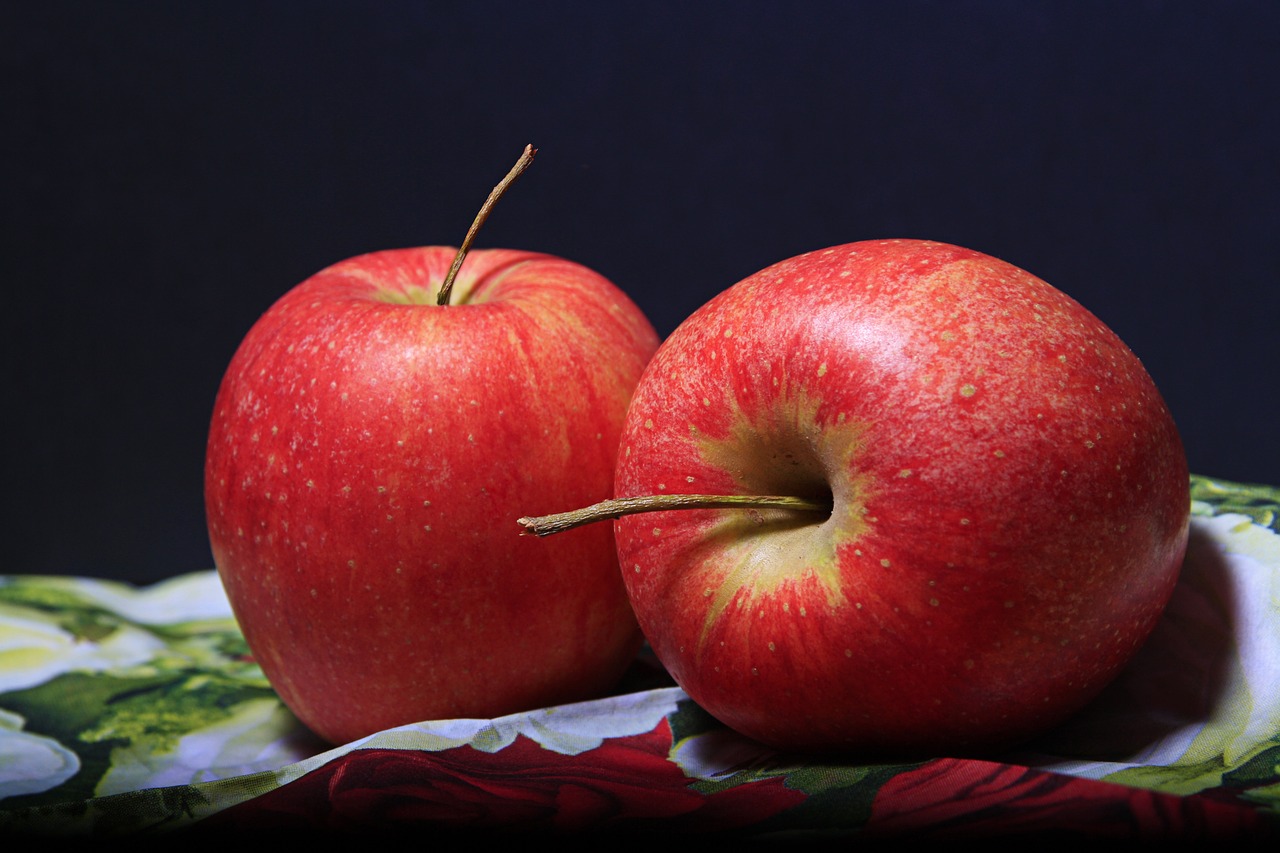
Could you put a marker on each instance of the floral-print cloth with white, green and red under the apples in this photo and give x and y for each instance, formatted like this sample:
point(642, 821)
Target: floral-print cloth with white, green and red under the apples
point(130, 711)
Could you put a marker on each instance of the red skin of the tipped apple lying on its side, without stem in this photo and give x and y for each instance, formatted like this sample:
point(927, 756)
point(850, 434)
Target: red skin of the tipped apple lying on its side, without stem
point(1011, 503)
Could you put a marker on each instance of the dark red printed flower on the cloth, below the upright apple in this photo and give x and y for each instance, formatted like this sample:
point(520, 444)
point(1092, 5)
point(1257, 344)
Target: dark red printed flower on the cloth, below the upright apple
point(627, 782)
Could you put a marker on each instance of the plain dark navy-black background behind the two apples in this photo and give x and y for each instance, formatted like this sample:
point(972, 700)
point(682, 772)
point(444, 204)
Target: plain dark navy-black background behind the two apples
point(171, 168)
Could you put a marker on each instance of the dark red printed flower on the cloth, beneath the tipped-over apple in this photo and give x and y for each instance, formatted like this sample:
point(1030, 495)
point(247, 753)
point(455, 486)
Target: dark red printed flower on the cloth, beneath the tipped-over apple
point(958, 799)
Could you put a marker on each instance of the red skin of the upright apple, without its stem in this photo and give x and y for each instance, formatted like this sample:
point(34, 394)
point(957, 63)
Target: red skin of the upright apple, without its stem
point(367, 455)
